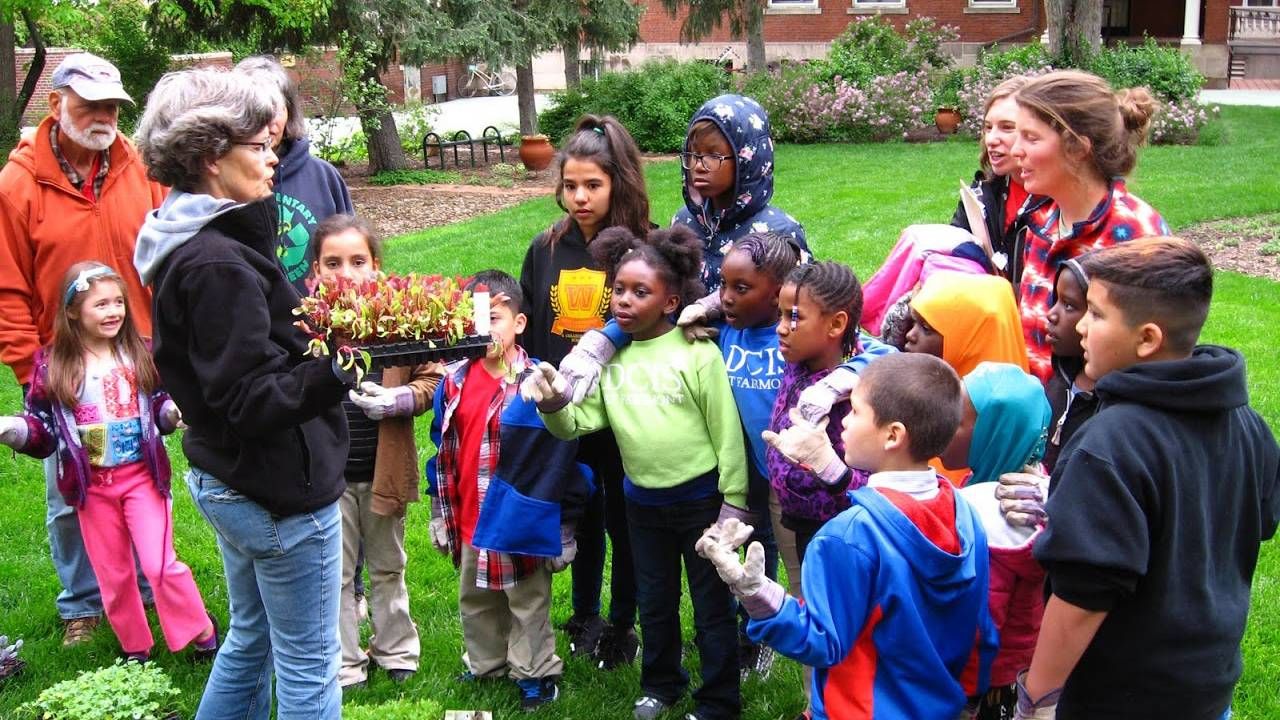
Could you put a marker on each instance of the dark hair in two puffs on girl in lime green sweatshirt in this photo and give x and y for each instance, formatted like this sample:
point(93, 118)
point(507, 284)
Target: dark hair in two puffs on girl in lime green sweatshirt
point(675, 254)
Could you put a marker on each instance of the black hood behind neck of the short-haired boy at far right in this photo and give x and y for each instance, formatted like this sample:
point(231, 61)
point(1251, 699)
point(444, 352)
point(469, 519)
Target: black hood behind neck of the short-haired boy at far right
point(1212, 381)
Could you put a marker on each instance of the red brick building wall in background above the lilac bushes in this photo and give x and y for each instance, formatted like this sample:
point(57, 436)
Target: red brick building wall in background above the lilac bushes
point(657, 26)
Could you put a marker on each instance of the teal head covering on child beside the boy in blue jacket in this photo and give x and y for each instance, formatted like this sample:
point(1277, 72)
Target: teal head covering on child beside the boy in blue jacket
point(1013, 420)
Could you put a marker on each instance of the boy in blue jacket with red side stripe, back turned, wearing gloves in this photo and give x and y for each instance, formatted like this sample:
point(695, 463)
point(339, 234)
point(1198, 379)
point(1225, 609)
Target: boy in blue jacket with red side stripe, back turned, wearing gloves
point(895, 617)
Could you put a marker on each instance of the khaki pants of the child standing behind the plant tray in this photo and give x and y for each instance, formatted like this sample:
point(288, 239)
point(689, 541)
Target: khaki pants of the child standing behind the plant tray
point(395, 644)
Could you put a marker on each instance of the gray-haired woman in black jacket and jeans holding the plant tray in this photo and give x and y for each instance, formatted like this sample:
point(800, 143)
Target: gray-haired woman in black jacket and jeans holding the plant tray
point(267, 438)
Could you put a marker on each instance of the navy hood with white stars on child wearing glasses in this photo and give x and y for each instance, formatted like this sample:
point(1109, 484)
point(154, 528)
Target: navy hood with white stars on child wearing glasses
point(747, 127)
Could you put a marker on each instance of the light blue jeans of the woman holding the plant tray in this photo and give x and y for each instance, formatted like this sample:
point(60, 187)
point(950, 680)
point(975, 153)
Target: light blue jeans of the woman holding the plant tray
point(284, 584)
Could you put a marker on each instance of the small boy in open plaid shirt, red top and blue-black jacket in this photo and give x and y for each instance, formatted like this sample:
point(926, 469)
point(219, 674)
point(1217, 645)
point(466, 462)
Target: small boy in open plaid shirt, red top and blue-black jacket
point(506, 496)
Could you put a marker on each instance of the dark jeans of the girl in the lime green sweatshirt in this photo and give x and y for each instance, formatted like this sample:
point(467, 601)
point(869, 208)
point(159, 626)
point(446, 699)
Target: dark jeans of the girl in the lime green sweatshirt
point(661, 537)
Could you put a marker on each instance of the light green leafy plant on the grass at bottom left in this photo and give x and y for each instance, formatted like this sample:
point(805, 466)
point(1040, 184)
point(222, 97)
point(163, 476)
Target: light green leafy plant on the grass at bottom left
point(125, 690)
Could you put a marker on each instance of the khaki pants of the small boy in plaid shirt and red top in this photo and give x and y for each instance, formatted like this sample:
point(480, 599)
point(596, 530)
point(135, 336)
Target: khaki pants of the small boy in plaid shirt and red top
point(508, 630)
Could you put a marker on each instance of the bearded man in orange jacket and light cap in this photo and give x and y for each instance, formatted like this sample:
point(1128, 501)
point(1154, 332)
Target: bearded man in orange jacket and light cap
point(75, 190)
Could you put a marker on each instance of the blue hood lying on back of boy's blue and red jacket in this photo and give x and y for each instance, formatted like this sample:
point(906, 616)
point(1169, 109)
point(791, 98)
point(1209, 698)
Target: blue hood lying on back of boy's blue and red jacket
point(948, 576)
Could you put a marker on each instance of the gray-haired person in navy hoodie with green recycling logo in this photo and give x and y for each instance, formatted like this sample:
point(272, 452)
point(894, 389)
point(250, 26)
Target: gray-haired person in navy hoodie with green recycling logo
point(308, 189)
